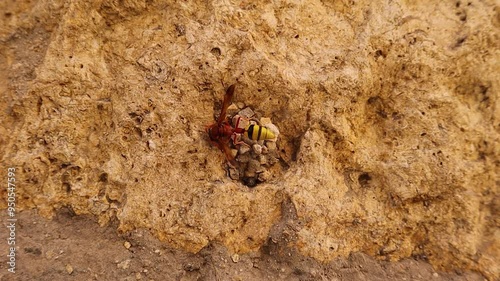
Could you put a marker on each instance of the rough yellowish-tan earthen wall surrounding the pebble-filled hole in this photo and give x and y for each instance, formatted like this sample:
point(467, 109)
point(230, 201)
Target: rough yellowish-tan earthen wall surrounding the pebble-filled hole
point(388, 113)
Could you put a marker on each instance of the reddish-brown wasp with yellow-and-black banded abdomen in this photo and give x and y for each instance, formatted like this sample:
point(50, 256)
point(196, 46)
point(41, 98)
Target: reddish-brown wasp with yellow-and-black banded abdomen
point(222, 132)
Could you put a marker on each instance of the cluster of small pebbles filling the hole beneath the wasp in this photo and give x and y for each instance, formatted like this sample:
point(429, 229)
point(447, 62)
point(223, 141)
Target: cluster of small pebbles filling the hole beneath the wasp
point(255, 158)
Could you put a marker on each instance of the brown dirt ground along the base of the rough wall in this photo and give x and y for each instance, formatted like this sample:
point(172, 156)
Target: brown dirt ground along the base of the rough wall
point(74, 247)
